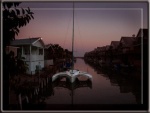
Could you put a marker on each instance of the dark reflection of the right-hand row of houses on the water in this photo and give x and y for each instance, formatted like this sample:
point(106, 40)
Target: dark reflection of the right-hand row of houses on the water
point(127, 80)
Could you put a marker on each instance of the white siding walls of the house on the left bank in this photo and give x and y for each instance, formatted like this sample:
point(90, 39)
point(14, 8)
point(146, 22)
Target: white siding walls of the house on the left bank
point(33, 54)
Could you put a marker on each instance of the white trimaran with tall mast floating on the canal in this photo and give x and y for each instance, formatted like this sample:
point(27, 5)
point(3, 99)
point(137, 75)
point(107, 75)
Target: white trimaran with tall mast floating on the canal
point(72, 74)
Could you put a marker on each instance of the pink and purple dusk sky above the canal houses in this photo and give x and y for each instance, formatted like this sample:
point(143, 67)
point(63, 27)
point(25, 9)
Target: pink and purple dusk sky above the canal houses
point(96, 23)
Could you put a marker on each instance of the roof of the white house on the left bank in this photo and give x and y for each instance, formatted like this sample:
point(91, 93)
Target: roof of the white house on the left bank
point(26, 41)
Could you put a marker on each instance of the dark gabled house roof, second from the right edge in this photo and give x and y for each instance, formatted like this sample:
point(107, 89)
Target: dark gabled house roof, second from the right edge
point(127, 41)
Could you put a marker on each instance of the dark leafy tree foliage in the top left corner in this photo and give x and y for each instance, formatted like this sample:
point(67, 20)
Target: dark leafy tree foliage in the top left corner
point(13, 19)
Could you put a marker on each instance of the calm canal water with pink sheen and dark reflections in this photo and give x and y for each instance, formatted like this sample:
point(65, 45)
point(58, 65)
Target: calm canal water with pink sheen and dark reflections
point(105, 89)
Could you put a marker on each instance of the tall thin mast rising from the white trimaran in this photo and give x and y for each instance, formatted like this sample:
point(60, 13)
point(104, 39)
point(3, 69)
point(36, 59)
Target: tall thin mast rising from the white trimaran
point(73, 40)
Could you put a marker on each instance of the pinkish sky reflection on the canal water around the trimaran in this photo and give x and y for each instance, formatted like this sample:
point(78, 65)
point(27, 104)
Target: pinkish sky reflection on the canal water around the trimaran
point(102, 91)
